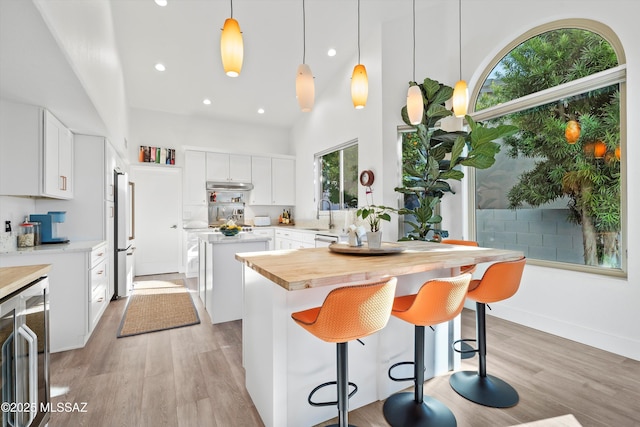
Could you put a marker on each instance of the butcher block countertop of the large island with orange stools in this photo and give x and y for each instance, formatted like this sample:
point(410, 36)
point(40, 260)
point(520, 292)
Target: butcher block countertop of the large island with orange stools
point(312, 267)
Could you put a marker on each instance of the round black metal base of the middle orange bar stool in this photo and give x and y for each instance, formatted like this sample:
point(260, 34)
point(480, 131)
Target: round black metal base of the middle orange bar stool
point(401, 409)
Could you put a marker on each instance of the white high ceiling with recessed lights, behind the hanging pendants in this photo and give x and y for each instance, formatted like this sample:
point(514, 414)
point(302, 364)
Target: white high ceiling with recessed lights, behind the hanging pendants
point(185, 36)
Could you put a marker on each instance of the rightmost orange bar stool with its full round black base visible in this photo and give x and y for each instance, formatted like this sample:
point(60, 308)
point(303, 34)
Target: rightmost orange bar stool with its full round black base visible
point(499, 282)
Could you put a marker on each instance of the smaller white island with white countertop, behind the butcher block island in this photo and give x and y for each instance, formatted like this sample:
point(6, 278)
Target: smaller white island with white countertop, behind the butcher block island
point(220, 276)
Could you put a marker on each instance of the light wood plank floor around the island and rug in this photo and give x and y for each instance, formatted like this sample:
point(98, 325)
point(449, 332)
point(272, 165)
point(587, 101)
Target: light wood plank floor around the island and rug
point(192, 377)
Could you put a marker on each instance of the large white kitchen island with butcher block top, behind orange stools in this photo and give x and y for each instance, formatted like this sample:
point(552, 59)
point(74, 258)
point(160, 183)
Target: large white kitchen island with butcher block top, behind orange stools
point(283, 363)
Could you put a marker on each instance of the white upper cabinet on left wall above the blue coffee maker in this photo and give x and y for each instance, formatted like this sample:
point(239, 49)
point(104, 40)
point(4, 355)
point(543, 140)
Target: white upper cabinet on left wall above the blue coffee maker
point(36, 153)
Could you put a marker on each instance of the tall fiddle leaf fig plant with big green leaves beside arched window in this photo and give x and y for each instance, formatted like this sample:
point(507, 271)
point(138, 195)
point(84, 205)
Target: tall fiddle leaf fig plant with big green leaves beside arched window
point(433, 156)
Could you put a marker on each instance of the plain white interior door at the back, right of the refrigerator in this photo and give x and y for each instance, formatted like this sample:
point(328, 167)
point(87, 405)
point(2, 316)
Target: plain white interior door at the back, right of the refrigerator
point(158, 199)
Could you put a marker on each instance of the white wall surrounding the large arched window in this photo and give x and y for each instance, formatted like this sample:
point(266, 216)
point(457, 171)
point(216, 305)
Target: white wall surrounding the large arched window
point(597, 310)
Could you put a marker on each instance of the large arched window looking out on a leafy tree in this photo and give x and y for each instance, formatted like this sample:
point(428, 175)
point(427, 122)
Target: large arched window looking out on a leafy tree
point(556, 190)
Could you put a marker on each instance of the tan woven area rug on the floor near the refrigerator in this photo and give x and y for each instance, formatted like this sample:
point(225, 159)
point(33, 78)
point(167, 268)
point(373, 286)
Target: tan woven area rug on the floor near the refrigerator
point(156, 305)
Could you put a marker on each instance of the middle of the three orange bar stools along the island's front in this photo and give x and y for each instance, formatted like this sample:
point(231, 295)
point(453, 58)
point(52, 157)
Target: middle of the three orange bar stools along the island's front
point(437, 301)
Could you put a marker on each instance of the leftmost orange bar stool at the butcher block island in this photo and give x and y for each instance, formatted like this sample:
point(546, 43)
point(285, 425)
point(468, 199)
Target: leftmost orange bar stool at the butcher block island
point(347, 313)
